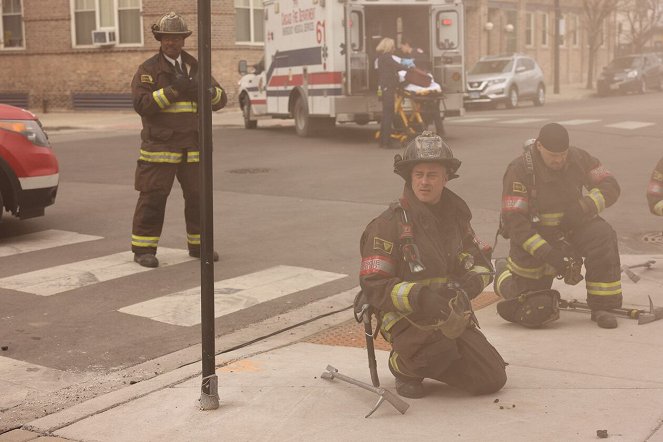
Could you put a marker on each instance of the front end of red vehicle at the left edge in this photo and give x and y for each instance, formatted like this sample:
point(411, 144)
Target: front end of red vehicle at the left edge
point(29, 172)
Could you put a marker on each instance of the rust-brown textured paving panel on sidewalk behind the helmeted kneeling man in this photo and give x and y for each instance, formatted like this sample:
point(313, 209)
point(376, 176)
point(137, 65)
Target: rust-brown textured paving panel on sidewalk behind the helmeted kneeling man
point(351, 334)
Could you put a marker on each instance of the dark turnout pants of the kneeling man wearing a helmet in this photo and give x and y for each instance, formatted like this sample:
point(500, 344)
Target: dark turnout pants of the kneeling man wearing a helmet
point(469, 363)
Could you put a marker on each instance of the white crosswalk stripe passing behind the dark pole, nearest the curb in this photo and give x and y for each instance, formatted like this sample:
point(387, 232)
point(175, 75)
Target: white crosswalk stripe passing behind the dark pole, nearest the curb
point(183, 308)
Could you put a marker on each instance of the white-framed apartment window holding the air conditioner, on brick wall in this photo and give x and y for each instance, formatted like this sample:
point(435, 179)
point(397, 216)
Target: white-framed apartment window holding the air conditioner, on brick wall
point(121, 16)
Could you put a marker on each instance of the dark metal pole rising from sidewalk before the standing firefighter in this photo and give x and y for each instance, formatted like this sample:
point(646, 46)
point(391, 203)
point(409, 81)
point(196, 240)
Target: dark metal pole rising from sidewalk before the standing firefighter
point(209, 395)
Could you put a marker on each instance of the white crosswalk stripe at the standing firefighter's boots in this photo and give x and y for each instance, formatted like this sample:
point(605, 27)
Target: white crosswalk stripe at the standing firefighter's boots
point(67, 277)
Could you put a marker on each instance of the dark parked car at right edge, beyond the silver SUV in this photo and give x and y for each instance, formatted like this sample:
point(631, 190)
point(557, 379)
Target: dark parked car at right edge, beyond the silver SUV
point(631, 73)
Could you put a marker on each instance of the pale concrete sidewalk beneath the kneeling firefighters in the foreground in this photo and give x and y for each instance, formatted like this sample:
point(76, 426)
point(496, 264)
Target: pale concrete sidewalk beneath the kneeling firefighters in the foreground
point(566, 381)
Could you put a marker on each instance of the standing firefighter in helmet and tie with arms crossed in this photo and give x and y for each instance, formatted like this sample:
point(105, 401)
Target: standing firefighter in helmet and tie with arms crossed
point(165, 91)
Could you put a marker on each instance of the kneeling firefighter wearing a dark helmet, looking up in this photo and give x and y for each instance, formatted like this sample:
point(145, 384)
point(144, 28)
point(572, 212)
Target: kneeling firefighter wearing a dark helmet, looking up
point(421, 265)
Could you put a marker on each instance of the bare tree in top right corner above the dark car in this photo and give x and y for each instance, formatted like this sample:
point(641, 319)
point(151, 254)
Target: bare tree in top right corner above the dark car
point(643, 17)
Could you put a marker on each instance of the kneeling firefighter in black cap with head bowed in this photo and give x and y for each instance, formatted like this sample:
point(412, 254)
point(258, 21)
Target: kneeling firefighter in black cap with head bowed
point(552, 226)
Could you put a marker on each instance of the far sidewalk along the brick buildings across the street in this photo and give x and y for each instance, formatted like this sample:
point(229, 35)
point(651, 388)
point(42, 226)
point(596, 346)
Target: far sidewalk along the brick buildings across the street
point(76, 121)
